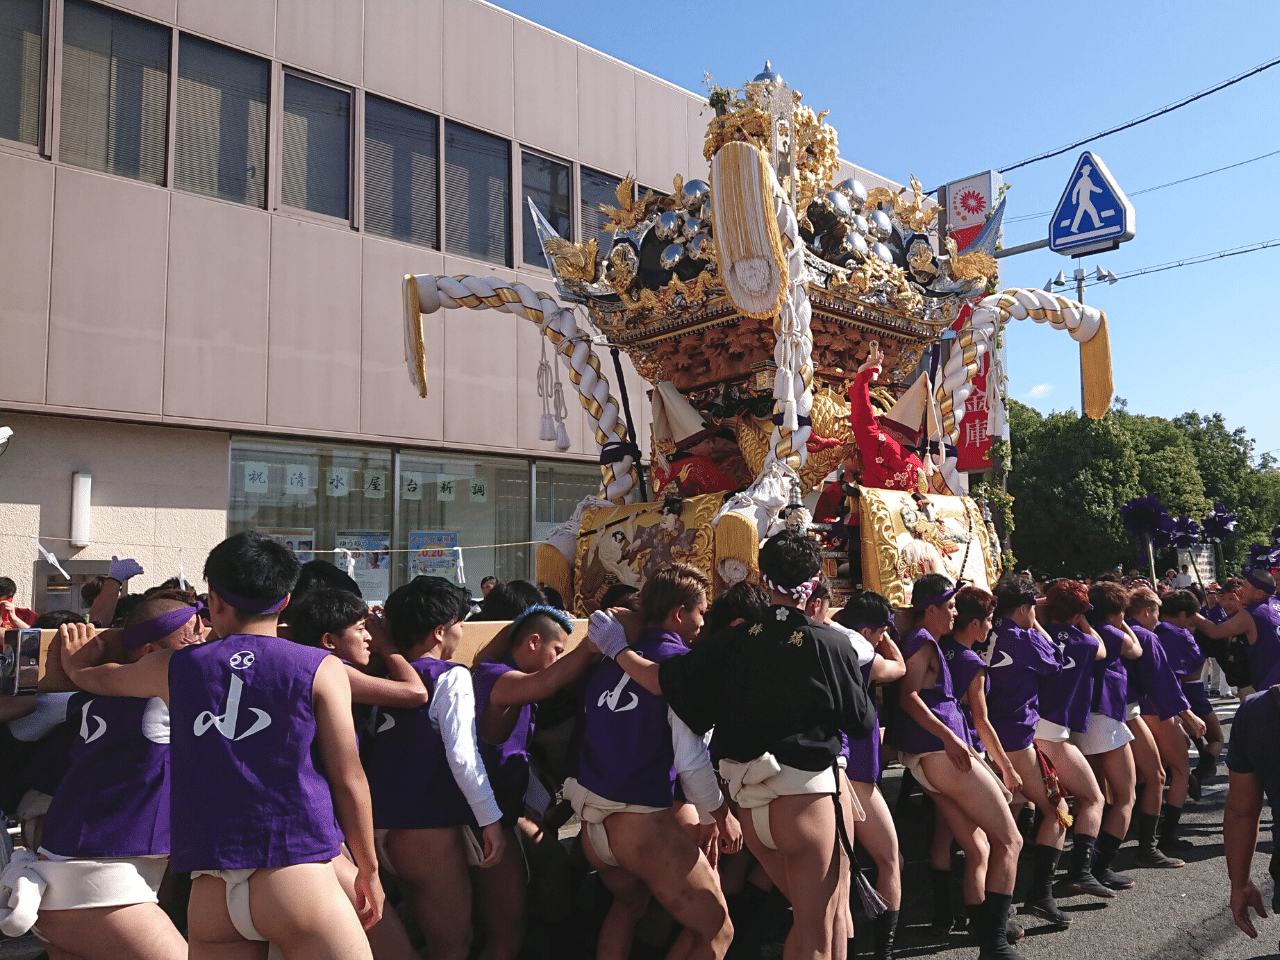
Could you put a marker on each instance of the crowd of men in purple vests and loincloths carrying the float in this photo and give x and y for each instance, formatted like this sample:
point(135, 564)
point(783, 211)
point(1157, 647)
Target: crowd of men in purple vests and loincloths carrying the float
point(272, 769)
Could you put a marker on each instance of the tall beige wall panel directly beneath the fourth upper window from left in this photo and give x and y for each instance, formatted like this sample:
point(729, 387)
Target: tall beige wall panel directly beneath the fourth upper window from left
point(314, 344)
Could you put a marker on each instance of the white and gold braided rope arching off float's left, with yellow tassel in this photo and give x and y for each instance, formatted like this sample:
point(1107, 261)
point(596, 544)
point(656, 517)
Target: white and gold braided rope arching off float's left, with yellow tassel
point(560, 326)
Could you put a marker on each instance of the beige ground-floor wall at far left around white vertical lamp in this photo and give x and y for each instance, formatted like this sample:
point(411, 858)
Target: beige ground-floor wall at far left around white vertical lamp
point(154, 490)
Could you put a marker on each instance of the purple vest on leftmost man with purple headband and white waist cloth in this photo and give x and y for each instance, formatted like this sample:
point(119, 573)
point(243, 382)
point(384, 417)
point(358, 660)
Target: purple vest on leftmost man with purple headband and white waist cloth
point(115, 799)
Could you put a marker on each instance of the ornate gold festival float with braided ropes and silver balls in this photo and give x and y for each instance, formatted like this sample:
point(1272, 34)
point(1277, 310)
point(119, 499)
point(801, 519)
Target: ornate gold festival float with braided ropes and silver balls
point(749, 305)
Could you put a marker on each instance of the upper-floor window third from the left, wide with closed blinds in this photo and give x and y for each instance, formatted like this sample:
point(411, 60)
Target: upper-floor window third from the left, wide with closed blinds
point(223, 99)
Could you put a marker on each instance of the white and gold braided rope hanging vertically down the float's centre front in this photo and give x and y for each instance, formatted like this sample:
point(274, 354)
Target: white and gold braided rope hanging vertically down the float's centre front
point(793, 354)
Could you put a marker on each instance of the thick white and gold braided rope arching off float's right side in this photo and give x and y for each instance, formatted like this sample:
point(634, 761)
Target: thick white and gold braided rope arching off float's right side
point(979, 337)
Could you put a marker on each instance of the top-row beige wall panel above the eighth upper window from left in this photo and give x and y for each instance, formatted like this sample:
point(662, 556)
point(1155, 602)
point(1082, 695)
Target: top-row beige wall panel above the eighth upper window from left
point(606, 115)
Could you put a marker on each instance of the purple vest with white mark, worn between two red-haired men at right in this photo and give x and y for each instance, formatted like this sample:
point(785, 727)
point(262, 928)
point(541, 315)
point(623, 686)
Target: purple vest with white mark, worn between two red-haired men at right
point(1021, 661)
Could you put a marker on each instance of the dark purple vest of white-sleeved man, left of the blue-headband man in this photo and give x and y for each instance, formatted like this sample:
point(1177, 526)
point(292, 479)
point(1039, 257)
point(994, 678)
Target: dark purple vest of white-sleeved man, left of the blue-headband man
point(410, 779)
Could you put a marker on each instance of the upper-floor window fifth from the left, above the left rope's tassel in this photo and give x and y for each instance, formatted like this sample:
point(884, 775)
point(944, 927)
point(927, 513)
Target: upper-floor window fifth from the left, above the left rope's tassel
point(403, 179)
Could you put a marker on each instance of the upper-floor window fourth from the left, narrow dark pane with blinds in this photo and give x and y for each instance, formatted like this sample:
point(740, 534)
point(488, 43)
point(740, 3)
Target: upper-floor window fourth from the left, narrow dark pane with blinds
point(317, 148)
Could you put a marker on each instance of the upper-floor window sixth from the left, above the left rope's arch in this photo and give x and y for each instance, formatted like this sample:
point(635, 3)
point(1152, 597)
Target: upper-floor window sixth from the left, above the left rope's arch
point(477, 195)
